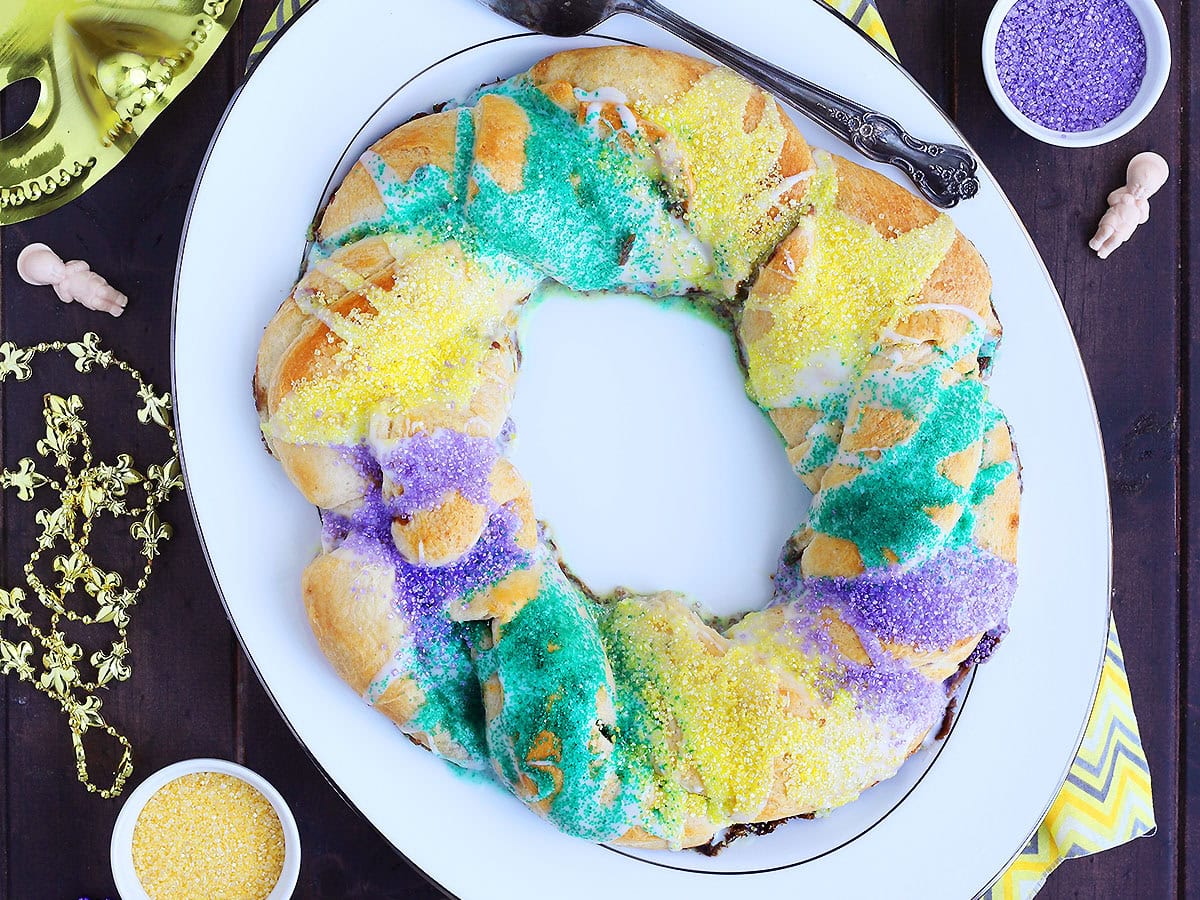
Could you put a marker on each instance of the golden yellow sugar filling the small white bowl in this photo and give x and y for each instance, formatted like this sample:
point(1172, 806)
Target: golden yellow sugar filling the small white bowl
point(208, 836)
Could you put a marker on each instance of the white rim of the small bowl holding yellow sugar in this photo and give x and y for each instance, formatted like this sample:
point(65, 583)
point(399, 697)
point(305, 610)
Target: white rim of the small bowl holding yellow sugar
point(127, 878)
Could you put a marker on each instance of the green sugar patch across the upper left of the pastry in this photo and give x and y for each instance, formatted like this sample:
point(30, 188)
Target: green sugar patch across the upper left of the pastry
point(585, 212)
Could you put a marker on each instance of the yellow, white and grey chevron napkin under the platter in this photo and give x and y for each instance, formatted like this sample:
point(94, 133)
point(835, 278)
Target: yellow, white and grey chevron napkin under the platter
point(1107, 799)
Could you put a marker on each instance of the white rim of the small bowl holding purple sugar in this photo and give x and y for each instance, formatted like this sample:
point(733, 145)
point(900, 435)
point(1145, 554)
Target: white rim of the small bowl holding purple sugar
point(1159, 67)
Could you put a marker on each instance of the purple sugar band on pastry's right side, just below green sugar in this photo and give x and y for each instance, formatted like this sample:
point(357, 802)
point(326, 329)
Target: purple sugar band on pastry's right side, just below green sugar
point(958, 593)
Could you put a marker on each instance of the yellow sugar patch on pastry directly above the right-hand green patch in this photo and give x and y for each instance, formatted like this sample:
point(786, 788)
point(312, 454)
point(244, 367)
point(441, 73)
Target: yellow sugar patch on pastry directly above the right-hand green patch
point(851, 287)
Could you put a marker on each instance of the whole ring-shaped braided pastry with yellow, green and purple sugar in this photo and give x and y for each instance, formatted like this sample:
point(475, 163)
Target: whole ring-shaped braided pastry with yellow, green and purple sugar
point(865, 325)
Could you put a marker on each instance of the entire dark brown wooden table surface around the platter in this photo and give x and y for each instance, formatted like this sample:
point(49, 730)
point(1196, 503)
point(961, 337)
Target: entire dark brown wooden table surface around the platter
point(1137, 319)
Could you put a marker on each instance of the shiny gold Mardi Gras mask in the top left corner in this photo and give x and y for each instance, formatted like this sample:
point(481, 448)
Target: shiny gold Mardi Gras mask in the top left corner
point(105, 71)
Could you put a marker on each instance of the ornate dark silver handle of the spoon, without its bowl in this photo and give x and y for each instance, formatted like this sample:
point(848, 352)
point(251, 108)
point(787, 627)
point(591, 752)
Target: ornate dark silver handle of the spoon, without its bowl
point(945, 175)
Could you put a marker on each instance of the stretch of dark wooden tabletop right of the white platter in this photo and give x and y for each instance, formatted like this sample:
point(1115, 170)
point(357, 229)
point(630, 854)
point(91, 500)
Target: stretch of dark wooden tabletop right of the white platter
point(1126, 316)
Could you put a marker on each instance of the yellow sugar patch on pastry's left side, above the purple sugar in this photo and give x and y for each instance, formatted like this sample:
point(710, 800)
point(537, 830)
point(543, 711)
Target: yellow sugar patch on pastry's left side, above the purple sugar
point(424, 344)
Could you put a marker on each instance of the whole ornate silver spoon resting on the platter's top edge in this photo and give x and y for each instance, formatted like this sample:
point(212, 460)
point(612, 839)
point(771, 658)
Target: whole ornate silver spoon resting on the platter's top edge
point(945, 175)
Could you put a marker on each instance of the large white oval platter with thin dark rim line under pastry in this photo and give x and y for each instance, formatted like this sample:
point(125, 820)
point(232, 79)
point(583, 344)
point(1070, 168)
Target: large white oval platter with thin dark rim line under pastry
point(627, 411)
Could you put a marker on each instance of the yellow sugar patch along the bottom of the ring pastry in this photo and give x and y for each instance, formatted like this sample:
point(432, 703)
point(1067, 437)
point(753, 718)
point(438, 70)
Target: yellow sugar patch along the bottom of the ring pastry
point(731, 721)
